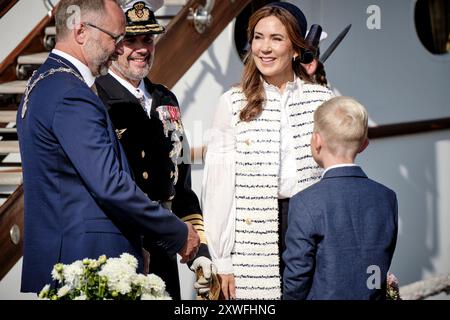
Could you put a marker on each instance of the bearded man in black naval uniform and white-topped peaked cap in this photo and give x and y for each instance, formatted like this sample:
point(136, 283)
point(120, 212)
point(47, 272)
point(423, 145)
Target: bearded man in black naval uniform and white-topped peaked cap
point(147, 120)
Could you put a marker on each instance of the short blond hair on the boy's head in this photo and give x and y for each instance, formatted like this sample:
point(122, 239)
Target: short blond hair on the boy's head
point(342, 122)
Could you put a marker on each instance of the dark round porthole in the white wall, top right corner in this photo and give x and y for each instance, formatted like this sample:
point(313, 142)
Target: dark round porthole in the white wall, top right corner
point(432, 19)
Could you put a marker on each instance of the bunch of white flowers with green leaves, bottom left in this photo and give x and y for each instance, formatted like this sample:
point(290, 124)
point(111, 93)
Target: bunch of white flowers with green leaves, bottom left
point(104, 279)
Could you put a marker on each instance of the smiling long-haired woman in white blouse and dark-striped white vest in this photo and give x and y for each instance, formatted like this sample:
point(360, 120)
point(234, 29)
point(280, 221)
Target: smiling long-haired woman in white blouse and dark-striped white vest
point(259, 155)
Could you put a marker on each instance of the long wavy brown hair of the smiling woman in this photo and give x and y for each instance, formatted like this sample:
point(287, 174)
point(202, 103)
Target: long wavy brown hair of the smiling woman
point(251, 83)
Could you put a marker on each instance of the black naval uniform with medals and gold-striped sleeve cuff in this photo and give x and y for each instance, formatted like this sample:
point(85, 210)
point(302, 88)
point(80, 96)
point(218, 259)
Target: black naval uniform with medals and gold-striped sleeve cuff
point(158, 154)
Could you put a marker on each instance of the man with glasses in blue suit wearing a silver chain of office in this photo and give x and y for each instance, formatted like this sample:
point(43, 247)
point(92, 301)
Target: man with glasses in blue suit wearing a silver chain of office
point(80, 197)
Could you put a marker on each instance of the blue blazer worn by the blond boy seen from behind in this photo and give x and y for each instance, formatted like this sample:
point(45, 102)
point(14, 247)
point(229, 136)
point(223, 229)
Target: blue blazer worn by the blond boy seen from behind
point(341, 236)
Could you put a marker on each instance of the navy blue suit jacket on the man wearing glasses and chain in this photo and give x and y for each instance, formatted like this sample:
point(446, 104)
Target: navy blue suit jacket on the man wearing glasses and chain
point(80, 197)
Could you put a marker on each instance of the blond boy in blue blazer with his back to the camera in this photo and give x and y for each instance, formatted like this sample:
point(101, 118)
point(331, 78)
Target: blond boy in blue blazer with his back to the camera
point(342, 231)
